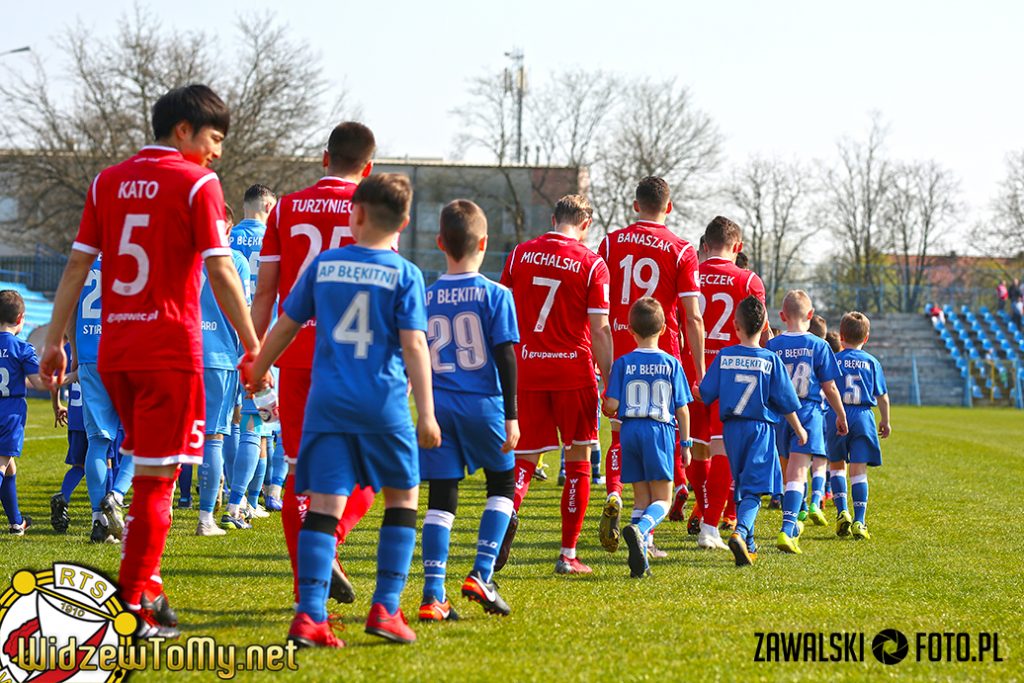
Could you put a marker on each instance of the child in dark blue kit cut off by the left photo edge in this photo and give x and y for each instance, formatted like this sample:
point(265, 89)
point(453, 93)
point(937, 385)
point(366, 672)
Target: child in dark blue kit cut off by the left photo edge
point(19, 367)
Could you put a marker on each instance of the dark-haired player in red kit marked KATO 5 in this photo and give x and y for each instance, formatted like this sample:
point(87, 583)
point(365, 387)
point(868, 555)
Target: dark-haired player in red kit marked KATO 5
point(157, 218)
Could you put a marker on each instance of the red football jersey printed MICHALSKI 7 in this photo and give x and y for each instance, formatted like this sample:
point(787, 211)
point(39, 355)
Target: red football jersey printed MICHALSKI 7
point(557, 283)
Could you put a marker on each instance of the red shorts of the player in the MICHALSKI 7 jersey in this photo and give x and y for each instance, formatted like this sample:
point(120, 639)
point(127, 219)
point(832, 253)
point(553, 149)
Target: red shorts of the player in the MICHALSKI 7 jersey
point(546, 415)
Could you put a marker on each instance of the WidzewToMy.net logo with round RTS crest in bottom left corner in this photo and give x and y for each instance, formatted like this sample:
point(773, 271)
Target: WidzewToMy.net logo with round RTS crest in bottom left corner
point(67, 625)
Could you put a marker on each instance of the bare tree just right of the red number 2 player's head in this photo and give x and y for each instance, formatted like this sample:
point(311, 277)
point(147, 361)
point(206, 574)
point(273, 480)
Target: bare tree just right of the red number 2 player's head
point(774, 199)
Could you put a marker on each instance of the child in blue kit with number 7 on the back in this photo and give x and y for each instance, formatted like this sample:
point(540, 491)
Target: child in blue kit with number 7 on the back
point(753, 390)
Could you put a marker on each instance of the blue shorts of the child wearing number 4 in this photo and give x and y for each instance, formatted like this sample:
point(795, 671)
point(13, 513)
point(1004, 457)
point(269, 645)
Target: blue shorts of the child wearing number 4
point(333, 463)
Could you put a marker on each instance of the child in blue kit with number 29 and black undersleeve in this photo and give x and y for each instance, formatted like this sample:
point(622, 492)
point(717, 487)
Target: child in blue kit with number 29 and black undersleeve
point(473, 331)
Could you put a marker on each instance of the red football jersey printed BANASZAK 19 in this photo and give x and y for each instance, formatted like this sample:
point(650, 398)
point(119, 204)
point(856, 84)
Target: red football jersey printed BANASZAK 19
point(648, 260)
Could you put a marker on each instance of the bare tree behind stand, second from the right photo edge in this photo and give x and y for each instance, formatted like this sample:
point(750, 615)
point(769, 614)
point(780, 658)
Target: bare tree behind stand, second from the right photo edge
point(922, 204)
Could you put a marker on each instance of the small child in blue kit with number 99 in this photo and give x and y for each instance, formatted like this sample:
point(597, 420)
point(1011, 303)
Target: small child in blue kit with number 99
point(650, 392)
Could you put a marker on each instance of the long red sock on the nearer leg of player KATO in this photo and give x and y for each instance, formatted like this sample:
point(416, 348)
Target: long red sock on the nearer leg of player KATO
point(150, 520)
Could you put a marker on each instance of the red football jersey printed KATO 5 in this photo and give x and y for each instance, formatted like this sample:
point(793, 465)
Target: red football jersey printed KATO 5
point(155, 218)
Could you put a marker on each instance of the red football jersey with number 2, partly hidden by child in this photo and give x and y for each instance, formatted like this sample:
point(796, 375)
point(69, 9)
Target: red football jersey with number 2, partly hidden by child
point(723, 285)
